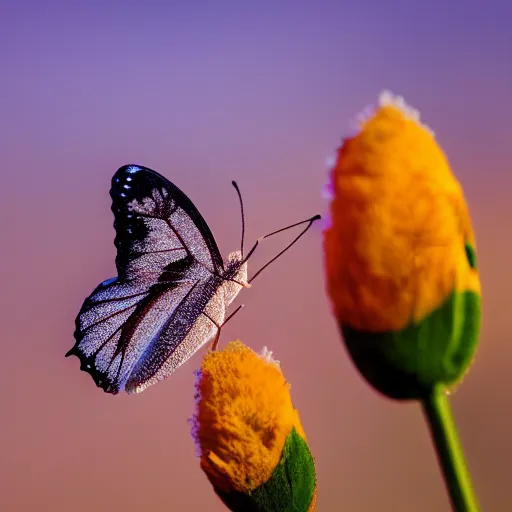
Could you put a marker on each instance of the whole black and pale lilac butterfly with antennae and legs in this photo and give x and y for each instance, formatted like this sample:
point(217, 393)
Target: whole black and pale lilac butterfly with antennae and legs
point(172, 290)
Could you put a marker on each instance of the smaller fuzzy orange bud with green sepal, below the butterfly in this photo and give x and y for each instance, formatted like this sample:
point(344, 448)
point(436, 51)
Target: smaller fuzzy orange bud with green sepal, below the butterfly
point(252, 445)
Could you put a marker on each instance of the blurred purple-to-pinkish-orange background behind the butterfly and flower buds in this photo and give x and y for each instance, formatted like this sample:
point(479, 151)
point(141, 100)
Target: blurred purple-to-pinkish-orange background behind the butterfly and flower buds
point(206, 92)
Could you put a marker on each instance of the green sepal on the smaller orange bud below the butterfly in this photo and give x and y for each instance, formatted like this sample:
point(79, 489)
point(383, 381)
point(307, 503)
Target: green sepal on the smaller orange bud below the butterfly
point(289, 489)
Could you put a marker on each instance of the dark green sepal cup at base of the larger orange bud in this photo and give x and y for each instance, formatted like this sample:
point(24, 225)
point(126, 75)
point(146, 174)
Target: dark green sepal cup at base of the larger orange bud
point(407, 364)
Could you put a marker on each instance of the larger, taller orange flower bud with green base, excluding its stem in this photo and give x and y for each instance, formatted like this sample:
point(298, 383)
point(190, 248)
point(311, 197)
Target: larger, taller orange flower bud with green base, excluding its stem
point(400, 256)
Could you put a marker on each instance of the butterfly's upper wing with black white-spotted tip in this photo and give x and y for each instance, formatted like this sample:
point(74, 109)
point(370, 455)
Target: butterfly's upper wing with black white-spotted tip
point(153, 220)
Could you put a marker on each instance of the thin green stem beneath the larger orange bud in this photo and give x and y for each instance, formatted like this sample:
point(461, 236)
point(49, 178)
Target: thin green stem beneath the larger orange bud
point(442, 426)
